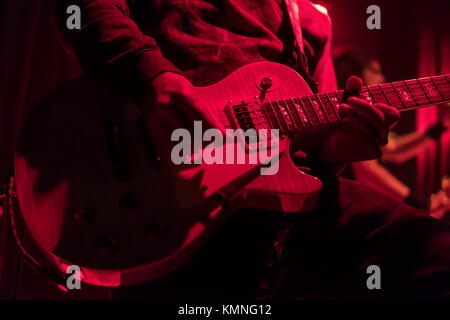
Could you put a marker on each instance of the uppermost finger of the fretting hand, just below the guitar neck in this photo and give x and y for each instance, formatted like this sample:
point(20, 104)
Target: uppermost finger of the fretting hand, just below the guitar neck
point(366, 112)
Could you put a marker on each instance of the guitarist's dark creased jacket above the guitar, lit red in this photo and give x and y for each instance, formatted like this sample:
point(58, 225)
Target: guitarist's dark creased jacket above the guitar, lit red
point(135, 40)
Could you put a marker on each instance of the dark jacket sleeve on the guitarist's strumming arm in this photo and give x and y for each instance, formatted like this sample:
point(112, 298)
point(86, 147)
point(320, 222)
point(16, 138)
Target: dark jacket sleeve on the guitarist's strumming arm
point(110, 41)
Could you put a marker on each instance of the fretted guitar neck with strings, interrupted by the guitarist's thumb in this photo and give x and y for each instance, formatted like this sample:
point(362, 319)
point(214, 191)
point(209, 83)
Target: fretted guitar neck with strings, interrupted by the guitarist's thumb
point(293, 114)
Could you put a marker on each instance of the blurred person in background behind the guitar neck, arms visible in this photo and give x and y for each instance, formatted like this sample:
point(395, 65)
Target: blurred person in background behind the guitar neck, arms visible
point(400, 148)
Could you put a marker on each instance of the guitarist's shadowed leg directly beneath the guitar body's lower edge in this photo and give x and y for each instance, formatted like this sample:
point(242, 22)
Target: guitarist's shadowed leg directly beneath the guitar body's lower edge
point(237, 262)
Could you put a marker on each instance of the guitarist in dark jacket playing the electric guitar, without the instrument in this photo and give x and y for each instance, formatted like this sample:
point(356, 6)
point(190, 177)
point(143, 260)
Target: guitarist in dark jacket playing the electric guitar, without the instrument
point(157, 50)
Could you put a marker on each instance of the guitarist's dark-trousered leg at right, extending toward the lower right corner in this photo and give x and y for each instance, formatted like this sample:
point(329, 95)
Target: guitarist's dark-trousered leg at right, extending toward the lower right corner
point(354, 227)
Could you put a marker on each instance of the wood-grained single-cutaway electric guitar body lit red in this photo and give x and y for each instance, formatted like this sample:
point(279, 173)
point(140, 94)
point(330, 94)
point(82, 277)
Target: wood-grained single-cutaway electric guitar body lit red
point(93, 193)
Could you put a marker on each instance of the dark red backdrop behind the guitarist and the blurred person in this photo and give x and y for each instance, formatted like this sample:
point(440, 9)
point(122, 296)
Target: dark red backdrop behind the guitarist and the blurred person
point(413, 41)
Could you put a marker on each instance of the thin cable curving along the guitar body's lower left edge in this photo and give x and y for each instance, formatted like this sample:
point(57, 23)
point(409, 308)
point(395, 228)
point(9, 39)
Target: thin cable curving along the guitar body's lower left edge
point(57, 278)
